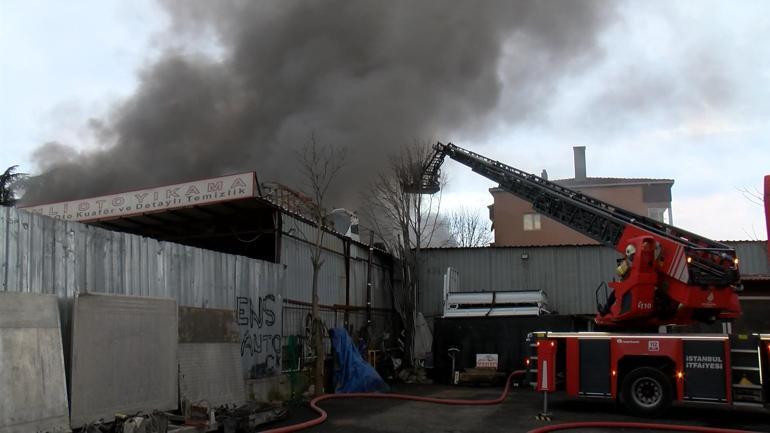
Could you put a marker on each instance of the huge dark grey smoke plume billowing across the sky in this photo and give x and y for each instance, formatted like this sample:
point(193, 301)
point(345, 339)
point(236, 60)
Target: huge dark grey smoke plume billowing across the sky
point(371, 76)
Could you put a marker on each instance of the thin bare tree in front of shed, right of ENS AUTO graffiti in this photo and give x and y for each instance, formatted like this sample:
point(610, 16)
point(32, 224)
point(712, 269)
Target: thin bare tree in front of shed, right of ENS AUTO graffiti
point(319, 166)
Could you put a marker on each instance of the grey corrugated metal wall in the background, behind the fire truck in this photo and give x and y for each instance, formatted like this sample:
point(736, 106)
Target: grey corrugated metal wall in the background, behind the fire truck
point(568, 274)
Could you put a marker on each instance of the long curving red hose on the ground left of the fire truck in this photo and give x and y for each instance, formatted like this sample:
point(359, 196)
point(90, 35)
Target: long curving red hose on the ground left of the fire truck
point(457, 402)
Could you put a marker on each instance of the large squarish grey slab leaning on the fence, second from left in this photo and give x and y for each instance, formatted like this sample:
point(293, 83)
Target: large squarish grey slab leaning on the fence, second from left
point(124, 356)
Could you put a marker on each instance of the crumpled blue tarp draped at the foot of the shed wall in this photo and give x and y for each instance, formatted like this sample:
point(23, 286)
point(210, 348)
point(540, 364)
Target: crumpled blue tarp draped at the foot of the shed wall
point(353, 374)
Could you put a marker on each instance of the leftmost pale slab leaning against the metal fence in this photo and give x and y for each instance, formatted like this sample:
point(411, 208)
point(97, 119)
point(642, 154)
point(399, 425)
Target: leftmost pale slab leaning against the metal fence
point(33, 389)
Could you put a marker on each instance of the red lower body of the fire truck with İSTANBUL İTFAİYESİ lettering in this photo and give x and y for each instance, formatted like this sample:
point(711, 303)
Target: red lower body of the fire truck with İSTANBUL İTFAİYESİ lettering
point(646, 372)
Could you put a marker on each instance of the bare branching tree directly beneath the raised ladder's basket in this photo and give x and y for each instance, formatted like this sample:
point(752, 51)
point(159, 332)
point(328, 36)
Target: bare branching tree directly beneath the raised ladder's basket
point(405, 222)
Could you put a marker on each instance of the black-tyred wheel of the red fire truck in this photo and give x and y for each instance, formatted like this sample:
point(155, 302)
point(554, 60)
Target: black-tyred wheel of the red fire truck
point(646, 392)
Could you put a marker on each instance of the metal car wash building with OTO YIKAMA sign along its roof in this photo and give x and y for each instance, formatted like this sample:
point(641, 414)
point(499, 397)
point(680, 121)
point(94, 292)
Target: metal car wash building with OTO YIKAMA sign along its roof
point(237, 215)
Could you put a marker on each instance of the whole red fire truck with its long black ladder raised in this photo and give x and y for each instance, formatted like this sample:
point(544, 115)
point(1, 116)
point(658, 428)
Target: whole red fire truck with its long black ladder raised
point(666, 276)
